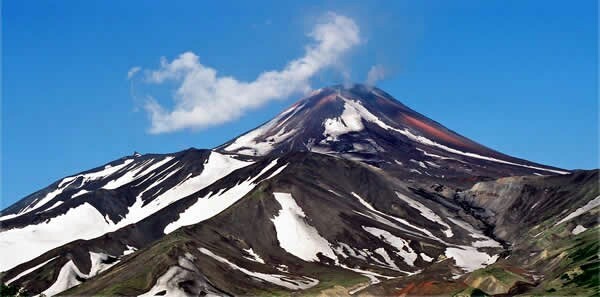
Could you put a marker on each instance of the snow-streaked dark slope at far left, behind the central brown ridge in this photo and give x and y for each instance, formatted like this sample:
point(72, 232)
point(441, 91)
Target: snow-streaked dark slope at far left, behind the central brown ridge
point(155, 182)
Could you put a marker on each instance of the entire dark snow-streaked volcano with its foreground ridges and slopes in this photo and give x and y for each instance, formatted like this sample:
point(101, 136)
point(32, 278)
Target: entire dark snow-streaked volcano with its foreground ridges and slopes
point(346, 192)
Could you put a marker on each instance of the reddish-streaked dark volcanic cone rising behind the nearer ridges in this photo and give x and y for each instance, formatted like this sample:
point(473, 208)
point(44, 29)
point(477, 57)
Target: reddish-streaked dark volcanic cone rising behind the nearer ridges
point(365, 123)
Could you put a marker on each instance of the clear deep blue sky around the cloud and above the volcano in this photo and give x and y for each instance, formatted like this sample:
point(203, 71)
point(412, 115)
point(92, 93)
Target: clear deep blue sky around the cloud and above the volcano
point(518, 76)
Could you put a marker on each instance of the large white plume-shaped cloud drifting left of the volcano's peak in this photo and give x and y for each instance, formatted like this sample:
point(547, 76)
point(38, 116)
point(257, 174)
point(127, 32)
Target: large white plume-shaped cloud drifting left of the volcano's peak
point(203, 98)
